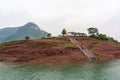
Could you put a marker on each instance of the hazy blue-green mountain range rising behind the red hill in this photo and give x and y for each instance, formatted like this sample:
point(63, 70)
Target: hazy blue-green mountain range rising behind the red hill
point(30, 29)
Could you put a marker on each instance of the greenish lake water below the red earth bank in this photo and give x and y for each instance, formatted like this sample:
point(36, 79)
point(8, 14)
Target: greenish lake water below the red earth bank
point(62, 71)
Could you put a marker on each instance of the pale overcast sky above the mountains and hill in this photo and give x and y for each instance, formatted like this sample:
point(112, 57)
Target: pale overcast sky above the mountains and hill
point(54, 15)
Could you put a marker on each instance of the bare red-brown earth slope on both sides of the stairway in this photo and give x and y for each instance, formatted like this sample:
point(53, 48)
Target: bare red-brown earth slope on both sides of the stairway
point(57, 50)
